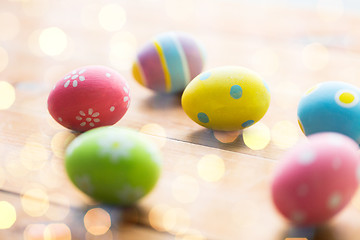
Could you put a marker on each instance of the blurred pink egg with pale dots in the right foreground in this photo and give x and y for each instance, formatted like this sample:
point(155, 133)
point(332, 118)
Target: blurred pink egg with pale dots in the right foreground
point(317, 178)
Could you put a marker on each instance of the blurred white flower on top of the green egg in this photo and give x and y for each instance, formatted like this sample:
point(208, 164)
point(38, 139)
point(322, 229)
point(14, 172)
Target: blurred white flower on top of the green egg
point(116, 146)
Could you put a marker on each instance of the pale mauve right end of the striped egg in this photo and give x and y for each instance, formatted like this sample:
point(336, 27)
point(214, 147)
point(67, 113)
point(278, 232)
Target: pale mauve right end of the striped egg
point(193, 55)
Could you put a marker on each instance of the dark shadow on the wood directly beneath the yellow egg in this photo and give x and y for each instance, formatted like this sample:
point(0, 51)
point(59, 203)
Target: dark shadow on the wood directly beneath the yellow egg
point(205, 137)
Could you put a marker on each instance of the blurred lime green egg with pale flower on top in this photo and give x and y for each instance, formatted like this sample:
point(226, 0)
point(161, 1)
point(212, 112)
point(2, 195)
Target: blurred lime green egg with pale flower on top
point(113, 165)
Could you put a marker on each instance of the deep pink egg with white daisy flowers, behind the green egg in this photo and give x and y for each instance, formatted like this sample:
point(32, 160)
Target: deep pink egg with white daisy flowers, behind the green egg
point(89, 97)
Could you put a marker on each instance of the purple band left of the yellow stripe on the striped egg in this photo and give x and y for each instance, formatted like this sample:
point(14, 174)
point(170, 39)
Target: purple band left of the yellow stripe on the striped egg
point(150, 64)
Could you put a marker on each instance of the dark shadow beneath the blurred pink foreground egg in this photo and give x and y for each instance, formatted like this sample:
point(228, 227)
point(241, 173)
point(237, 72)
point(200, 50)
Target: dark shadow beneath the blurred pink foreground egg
point(323, 232)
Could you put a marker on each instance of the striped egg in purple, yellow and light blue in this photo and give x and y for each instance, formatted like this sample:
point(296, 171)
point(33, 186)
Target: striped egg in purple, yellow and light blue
point(168, 62)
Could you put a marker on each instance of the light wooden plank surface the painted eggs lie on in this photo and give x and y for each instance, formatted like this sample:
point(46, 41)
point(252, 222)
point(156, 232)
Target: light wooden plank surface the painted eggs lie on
point(292, 48)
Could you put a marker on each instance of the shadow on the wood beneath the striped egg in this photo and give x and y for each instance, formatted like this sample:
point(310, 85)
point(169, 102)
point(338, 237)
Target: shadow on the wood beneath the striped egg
point(163, 101)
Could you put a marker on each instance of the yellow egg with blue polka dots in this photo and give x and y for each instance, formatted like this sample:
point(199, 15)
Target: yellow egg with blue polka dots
point(226, 98)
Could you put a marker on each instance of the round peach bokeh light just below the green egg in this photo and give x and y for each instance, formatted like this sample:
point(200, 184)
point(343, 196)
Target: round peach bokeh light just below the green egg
point(97, 221)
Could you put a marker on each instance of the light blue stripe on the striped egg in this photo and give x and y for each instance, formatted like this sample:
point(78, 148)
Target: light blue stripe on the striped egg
point(173, 62)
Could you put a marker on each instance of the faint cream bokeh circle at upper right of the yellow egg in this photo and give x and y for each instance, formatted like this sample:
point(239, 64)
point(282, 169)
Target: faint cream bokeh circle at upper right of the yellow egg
point(266, 61)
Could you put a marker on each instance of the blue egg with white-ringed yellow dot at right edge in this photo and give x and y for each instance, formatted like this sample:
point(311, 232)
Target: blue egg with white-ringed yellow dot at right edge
point(333, 107)
